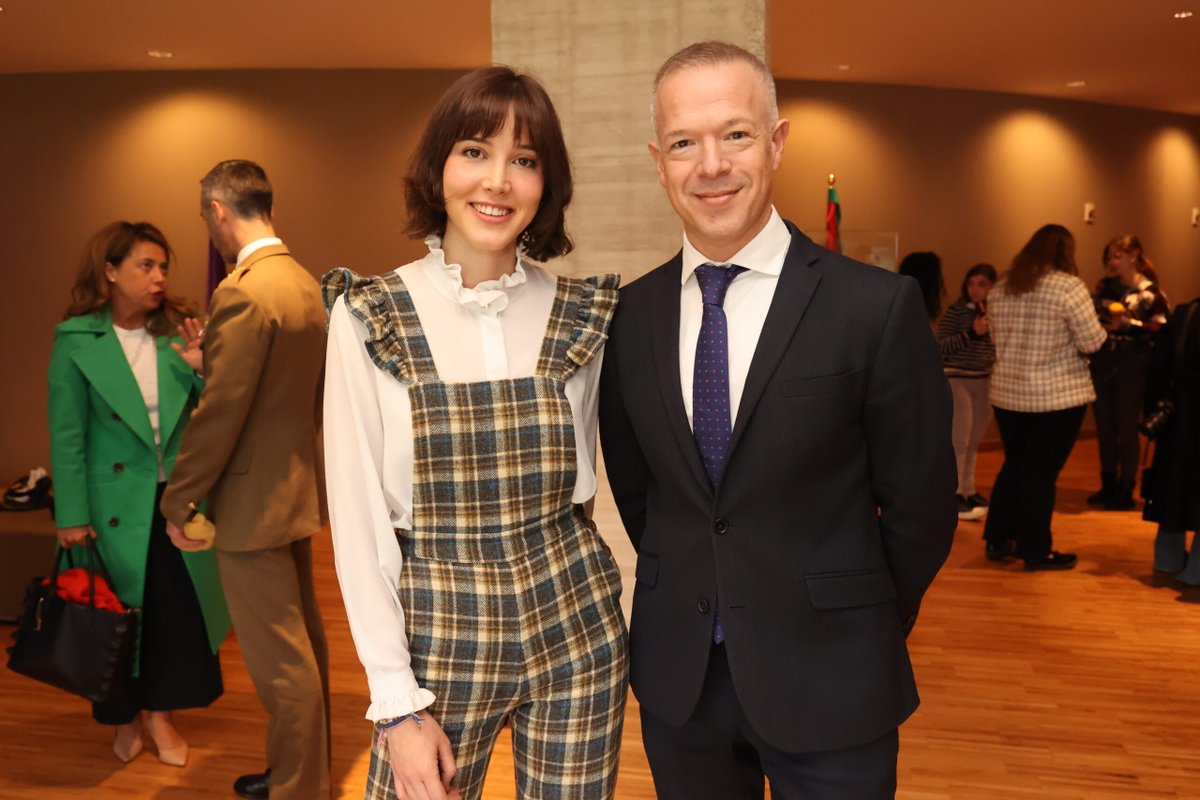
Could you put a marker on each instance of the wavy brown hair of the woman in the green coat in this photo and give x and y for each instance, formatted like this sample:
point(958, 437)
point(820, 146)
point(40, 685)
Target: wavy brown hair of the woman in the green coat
point(110, 245)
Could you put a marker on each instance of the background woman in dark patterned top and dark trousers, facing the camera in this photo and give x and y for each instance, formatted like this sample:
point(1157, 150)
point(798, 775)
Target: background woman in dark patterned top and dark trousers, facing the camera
point(1132, 310)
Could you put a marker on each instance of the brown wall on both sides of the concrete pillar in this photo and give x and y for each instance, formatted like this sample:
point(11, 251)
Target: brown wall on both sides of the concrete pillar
point(967, 175)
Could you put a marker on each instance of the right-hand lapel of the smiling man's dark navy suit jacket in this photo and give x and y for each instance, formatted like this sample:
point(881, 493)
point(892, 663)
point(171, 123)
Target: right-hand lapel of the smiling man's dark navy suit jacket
point(797, 285)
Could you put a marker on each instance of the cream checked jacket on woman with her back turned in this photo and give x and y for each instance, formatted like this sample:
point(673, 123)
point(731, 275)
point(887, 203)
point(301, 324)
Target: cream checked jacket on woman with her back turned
point(1042, 338)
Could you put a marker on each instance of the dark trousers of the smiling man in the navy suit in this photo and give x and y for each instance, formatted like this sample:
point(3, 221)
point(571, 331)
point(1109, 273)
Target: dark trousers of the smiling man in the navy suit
point(717, 756)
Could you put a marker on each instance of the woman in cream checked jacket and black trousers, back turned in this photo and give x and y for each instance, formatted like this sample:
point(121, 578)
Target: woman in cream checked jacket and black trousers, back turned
point(1043, 324)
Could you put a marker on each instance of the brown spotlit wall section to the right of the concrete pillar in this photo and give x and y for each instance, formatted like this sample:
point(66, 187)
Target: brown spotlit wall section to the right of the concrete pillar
point(971, 176)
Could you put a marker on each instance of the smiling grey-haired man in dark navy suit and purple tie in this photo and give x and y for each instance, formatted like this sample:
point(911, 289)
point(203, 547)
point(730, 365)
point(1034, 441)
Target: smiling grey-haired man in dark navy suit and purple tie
point(777, 432)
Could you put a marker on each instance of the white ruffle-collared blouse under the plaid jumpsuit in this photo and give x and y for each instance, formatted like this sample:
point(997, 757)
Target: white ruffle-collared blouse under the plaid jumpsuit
point(488, 333)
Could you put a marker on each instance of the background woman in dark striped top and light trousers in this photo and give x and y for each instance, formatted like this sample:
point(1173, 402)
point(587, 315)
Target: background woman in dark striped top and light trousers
point(968, 357)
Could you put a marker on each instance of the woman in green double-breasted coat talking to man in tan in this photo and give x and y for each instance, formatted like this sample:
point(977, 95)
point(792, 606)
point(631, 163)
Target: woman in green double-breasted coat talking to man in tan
point(122, 392)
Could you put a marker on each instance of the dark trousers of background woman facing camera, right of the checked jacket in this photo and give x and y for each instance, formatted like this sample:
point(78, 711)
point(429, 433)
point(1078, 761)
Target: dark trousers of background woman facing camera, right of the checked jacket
point(1120, 377)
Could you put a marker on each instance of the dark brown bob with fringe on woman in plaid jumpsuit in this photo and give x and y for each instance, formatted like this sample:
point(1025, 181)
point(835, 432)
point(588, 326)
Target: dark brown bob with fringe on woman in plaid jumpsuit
point(477, 107)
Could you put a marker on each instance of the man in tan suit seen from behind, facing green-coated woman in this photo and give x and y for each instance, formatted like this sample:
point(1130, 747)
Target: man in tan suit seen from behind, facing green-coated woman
point(251, 453)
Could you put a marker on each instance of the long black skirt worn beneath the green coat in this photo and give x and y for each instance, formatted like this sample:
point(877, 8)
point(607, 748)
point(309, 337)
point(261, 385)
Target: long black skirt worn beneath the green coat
point(177, 669)
